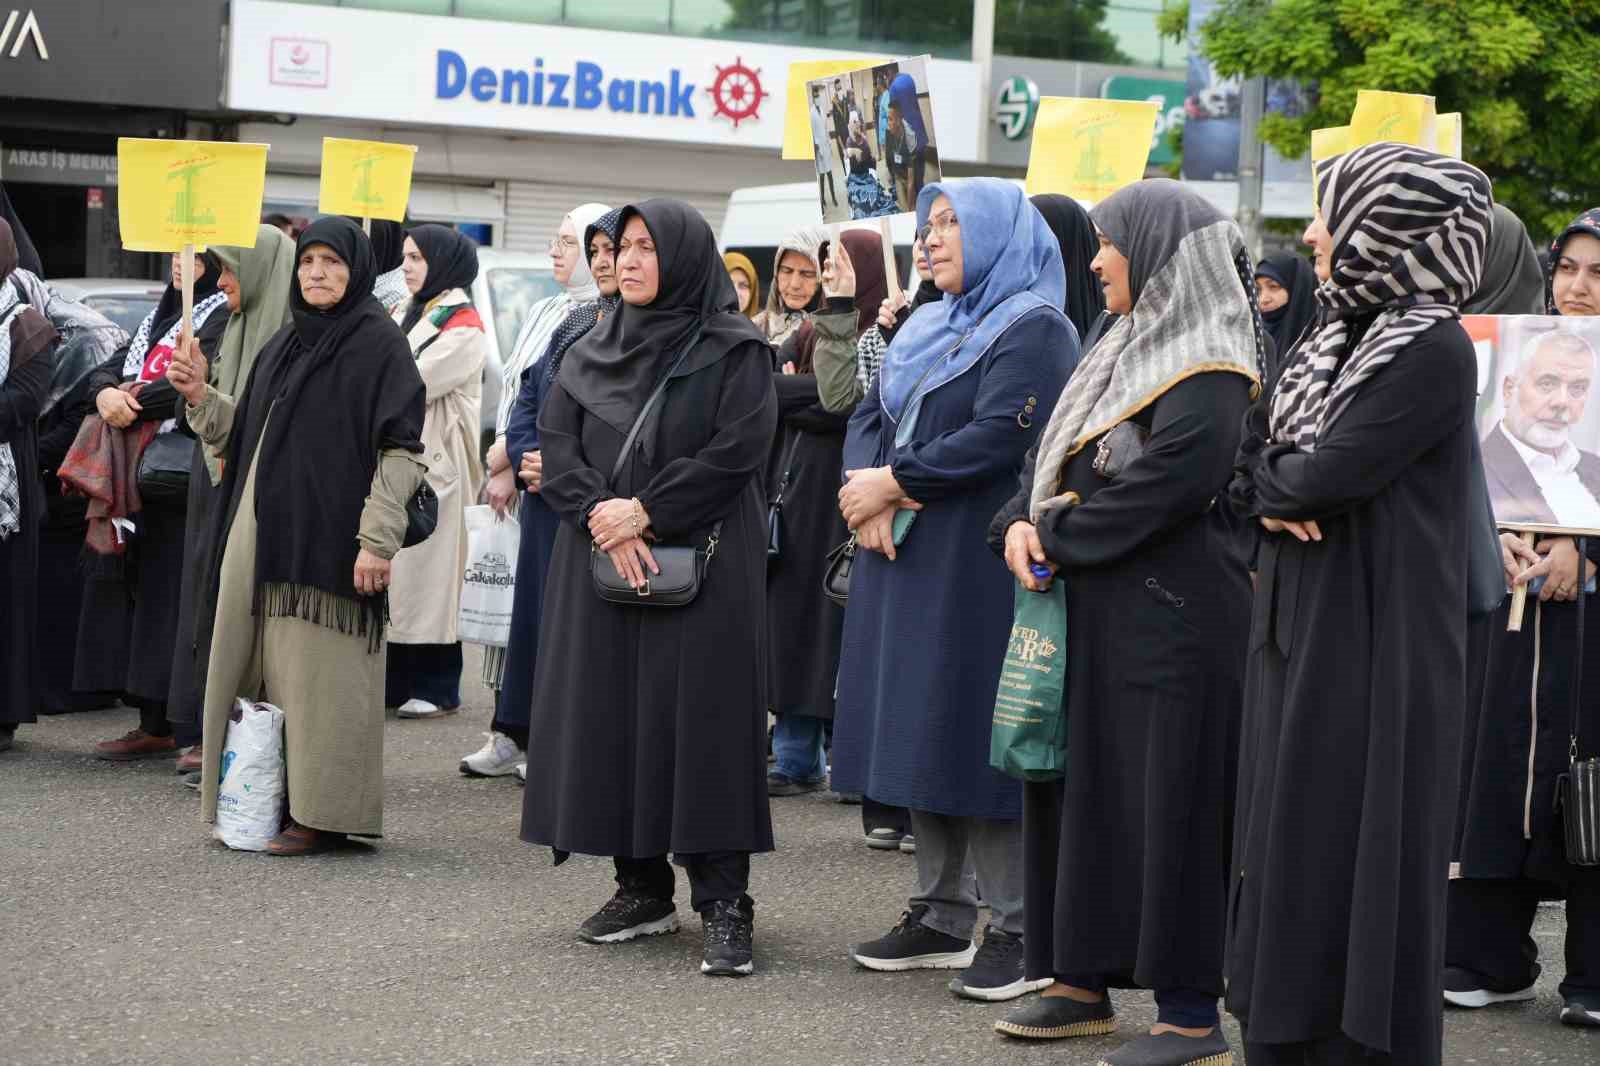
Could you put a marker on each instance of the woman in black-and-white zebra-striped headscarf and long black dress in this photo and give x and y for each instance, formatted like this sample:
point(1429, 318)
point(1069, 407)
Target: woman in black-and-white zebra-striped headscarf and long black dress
point(1358, 470)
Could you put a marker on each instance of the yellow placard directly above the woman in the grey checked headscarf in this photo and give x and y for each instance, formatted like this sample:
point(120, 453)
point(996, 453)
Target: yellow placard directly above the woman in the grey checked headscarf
point(1090, 148)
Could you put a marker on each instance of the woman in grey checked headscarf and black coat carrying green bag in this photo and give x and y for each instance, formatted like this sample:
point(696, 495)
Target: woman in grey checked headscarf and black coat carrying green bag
point(1127, 857)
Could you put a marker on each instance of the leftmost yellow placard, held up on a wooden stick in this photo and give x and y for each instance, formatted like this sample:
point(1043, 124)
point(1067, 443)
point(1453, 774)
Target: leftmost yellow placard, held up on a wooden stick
point(190, 193)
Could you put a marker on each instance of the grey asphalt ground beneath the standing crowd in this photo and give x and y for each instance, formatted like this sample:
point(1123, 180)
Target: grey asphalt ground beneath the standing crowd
point(129, 937)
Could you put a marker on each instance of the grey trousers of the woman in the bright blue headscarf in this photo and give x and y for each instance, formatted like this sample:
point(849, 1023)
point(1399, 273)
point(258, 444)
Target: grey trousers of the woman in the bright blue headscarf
point(950, 852)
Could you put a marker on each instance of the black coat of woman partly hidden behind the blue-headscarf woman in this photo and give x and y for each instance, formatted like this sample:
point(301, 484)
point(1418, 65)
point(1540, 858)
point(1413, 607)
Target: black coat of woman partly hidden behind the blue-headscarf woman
point(804, 627)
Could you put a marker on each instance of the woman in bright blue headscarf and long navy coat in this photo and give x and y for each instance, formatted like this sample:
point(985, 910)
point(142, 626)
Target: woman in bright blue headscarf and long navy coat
point(942, 436)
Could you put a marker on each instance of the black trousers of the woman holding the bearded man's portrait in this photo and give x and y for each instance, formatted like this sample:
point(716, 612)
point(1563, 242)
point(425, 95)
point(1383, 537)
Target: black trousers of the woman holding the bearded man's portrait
point(1490, 924)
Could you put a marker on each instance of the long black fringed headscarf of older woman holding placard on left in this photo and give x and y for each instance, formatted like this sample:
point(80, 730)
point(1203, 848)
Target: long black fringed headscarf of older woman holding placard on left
point(342, 387)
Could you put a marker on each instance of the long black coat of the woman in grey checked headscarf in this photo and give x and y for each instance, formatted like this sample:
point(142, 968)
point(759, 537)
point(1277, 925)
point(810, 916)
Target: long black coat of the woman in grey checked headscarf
point(1127, 857)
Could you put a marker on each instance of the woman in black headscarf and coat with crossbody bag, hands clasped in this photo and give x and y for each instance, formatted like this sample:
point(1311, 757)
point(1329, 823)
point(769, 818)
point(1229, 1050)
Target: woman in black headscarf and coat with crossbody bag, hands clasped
point(638, 748)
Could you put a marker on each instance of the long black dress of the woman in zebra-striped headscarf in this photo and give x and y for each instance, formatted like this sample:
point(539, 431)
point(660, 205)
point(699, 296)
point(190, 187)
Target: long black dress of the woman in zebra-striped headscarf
point(1353, 716)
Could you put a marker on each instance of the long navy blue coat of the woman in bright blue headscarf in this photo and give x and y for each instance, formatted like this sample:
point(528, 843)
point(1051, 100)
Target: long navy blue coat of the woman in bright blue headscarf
point(926, 635)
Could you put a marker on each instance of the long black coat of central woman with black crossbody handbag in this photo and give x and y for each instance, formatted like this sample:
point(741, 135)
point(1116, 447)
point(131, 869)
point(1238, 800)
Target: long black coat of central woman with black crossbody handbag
point(649, 727)
